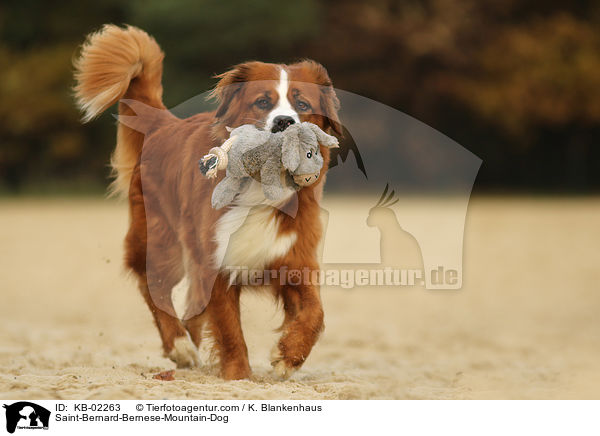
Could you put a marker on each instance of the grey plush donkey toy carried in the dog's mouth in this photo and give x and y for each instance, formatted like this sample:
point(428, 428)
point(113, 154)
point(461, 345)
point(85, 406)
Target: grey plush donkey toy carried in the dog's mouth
point(291, 157)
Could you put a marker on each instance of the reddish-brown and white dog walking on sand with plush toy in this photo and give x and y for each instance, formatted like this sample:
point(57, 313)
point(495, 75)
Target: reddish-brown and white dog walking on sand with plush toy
point(174, 233)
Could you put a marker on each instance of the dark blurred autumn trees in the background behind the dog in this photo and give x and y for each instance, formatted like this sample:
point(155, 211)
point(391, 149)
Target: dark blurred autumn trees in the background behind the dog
point(516, 82)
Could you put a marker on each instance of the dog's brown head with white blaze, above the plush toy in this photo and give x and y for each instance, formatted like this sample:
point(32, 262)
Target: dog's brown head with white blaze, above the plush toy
point(273, 97)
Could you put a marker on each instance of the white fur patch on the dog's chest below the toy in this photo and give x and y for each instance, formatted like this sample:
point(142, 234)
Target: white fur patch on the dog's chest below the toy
point(248, 237)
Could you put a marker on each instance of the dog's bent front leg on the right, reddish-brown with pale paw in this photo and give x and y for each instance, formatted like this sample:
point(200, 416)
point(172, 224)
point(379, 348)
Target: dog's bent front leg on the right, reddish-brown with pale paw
point(302, 326)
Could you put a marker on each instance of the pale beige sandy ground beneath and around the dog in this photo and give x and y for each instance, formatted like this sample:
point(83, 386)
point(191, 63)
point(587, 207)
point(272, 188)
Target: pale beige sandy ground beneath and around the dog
point(525, 325)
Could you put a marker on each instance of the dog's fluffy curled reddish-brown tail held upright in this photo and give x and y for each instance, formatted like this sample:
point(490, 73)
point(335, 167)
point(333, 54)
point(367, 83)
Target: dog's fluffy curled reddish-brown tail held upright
point(105, 70)
